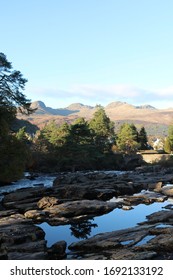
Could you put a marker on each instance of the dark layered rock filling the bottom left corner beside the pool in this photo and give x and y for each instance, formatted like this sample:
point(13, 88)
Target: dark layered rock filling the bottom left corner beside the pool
point(19, 239)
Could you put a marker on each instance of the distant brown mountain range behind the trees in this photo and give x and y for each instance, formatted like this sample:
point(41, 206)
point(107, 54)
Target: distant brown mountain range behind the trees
point(155, 120)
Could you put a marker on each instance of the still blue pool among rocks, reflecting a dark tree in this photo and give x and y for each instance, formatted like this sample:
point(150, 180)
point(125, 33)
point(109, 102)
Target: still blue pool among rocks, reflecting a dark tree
point(115, 220)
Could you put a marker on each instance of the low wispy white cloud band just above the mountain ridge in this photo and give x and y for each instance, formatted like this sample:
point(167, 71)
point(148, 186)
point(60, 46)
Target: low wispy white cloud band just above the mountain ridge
point(98, 94)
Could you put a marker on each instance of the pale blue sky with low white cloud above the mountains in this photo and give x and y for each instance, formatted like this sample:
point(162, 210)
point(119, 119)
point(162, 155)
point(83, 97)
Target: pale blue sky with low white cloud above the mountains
point(91, 51)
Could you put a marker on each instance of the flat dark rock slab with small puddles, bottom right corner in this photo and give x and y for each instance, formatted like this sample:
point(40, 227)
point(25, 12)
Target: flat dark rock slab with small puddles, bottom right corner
point(152, 239)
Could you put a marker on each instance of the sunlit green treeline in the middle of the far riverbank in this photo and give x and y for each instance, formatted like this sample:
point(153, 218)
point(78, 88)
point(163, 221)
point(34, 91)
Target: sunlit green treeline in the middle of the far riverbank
point(85, 145)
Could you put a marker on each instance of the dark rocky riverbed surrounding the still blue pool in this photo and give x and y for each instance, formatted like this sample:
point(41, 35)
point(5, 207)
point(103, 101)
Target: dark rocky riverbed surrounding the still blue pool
point(76, 197)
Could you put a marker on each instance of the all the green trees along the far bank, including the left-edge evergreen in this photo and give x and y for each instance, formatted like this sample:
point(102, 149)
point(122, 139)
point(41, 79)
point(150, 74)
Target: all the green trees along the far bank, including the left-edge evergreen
point(81, 145)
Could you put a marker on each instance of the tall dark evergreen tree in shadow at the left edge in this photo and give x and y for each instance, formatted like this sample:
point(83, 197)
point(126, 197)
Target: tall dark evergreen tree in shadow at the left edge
point(12, 152)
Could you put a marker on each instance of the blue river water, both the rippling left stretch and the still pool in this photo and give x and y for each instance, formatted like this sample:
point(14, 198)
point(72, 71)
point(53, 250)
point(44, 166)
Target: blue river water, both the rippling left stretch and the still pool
point(115, 220)
